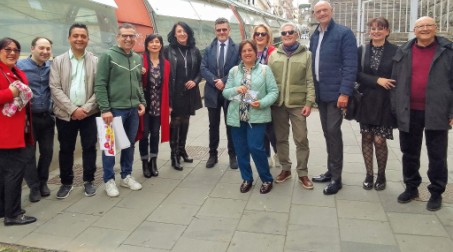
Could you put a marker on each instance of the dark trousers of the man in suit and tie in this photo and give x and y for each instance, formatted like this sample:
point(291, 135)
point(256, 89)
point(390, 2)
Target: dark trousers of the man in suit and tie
point(214, 127)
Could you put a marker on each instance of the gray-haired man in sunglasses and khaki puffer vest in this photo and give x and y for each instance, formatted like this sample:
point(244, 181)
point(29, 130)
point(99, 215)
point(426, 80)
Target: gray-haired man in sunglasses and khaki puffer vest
point(291, 66)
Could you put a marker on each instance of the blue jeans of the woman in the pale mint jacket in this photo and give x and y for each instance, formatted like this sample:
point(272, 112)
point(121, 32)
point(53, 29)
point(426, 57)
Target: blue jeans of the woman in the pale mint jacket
point(249, 141)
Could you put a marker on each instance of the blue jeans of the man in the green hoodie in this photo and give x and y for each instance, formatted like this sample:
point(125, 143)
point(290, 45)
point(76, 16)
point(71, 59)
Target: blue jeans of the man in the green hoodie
point(130, 124)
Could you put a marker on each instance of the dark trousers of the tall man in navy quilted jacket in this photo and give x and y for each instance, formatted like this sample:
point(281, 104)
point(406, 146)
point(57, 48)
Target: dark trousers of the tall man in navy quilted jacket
point(331, 119)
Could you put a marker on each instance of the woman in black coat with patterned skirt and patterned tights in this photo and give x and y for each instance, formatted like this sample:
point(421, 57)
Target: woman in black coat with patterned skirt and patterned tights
point(374, 115)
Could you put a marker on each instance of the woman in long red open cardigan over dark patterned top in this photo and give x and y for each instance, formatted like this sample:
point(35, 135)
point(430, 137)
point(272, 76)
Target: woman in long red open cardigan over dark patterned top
point(155, 87)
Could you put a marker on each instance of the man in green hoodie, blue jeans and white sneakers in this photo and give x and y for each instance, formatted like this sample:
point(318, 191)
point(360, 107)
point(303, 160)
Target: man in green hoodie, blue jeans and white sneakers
point(119, 94)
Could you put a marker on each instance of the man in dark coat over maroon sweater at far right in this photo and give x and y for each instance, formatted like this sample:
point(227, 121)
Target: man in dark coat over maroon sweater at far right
point(422, 101)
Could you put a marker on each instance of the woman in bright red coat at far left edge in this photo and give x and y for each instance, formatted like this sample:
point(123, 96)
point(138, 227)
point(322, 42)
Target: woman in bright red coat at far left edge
point(15, 135)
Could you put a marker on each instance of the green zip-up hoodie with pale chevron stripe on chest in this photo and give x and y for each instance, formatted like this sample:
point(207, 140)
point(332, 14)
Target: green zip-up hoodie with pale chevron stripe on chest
point(118, 80)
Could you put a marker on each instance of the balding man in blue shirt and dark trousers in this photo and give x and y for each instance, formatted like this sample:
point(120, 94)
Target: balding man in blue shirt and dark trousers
point(37, 69)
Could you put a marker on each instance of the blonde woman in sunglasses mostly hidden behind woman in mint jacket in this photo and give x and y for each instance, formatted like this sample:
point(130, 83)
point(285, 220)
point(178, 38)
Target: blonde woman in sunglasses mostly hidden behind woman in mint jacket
point(262, 35)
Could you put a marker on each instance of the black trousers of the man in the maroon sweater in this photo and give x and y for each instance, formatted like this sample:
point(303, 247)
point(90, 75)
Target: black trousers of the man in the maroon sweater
point(436, 145)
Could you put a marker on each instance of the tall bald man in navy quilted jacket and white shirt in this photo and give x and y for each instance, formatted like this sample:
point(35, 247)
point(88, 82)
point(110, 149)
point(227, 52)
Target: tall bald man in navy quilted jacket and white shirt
point(334, 51)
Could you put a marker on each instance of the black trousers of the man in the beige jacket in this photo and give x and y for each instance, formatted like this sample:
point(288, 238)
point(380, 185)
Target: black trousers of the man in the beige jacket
point(67, 136)
